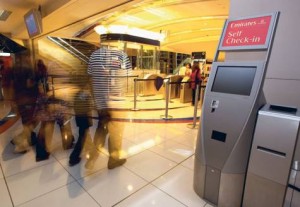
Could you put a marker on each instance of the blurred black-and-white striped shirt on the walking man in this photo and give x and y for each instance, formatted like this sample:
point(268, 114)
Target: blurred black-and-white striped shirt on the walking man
point(108, 69)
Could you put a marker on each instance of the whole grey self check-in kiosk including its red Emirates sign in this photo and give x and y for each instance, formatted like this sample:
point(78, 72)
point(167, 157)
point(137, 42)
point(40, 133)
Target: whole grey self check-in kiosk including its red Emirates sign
point(232, 99)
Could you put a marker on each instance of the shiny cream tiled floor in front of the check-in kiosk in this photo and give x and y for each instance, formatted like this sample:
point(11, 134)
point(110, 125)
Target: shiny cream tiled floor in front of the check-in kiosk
point(158, 171)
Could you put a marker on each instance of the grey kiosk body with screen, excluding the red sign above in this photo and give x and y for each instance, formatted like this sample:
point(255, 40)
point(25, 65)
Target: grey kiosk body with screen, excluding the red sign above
point(233, 96)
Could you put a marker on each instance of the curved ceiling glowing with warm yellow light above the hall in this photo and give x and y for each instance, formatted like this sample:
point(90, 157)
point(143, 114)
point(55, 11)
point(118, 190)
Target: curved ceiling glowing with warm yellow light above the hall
point(190, 25)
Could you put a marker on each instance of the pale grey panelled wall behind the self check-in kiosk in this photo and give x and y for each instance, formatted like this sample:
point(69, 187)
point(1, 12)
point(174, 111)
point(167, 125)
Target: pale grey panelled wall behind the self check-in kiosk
point(282, 83)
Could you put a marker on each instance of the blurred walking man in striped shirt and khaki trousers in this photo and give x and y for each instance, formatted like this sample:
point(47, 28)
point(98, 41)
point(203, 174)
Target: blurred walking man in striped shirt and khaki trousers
point(108, 68)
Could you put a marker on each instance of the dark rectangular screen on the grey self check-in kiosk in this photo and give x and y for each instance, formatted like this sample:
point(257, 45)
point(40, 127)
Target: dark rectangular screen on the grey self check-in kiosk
point(234, 80)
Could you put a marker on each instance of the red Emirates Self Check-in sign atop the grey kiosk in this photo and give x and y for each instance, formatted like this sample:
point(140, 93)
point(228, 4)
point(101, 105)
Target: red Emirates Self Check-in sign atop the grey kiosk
point(247, 32)
